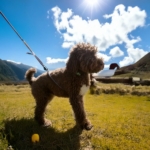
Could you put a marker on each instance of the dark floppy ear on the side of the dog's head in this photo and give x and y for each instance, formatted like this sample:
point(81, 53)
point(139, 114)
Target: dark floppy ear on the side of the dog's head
point(72, 63)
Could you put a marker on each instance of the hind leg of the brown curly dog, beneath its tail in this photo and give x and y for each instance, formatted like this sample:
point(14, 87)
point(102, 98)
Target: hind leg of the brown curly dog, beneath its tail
point(41, 104)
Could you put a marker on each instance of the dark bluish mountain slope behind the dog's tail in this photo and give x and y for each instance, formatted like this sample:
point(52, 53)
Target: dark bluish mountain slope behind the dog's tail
point(10, 71)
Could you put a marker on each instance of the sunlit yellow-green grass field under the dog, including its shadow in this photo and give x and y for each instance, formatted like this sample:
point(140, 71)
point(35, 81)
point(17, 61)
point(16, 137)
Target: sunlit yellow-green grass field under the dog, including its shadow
point(121, 121)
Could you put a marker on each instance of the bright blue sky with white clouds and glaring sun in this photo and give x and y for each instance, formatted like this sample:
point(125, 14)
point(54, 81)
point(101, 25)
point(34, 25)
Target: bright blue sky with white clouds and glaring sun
point(119, 28)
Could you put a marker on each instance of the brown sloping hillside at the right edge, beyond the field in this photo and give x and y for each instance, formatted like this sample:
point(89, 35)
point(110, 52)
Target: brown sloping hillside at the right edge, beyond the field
point(140, 69)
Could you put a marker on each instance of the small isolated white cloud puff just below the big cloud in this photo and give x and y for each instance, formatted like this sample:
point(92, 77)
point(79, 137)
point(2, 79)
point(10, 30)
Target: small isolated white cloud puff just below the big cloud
point(116, 52)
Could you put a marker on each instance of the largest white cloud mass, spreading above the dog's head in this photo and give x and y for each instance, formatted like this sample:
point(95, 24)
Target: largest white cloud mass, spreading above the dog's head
point(75, 29)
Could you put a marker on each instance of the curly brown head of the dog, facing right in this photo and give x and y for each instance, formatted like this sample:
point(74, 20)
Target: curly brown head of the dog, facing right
point(83, 57)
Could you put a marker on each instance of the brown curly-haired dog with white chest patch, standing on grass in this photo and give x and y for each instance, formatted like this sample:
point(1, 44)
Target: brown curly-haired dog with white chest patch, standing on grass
point(73, 81)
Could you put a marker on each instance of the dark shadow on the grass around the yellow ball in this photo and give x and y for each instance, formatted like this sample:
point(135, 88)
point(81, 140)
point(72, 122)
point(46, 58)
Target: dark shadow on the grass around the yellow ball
point(19, 132)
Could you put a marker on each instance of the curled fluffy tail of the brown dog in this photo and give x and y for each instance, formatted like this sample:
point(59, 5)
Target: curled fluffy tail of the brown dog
point(29, 75)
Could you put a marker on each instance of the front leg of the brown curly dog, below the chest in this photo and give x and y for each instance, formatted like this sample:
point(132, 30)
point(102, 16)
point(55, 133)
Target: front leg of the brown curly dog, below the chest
point(80, 115)
